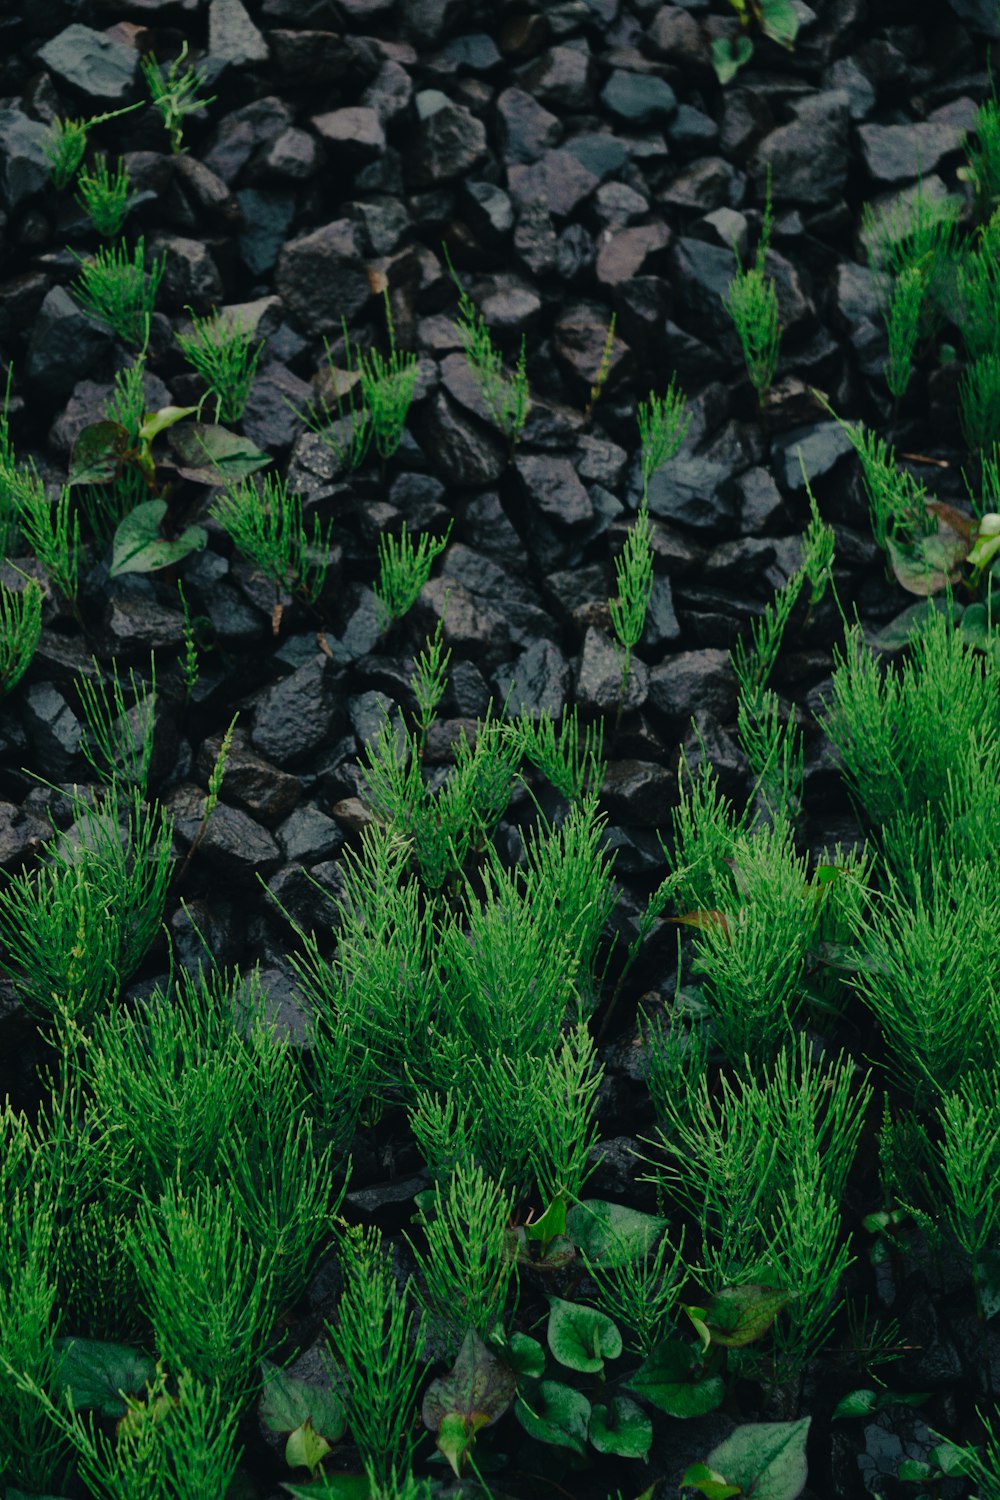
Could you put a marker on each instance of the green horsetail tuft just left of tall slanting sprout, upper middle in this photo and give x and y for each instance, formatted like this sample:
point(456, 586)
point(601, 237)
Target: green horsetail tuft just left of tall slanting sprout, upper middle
point(385, 394)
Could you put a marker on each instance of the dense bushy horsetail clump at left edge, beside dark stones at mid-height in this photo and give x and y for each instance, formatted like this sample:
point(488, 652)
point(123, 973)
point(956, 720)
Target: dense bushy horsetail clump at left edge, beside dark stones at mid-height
point(80, 925)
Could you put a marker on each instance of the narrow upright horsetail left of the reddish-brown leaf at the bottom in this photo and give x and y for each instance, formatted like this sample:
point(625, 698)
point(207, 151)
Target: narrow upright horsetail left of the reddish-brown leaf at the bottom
point(377, 1346)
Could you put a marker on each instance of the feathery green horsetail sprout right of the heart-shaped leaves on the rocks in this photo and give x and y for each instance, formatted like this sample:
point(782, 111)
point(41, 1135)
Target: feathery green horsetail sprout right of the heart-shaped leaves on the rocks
point(268, 527)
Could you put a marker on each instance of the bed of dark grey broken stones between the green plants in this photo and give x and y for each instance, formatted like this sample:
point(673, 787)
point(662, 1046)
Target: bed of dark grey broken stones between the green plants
point(579, 160)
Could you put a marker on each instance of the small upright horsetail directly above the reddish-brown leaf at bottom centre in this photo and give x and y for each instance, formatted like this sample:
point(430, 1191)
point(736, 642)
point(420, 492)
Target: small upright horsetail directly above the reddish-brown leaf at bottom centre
point(467, 1270)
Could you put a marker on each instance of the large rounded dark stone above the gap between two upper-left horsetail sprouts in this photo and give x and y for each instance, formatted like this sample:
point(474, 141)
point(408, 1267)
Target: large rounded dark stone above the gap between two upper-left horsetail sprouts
point(322, 277)
